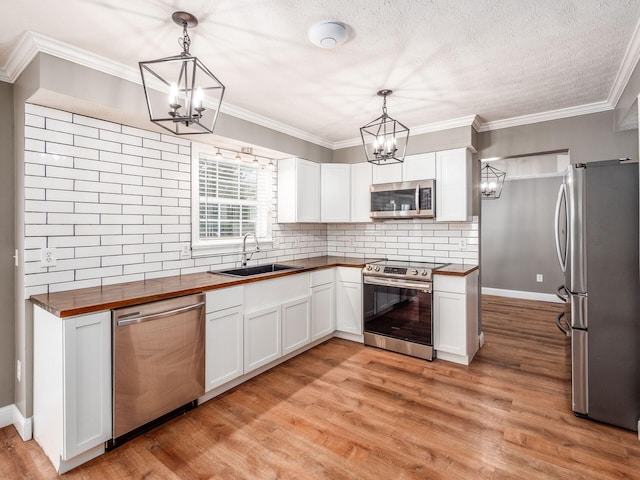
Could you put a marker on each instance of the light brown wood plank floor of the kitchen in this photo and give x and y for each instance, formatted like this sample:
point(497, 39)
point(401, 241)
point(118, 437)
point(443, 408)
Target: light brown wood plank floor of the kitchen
point(343, 410)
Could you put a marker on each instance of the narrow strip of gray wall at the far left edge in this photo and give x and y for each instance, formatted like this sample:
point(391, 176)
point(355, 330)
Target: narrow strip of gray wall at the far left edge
point(7, 207)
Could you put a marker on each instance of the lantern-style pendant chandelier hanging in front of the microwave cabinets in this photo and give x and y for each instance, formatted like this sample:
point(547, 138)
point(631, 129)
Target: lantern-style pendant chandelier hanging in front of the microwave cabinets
point(384, 139)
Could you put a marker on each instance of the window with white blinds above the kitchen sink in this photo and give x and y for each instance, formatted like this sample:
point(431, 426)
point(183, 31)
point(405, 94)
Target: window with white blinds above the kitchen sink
point(230, 199)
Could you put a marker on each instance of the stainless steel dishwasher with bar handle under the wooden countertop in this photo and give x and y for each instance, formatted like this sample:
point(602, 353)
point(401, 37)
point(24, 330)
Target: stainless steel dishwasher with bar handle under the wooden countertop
point(158, 363)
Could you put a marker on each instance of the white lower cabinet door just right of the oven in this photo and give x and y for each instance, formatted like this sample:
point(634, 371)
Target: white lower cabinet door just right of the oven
point(449, 322)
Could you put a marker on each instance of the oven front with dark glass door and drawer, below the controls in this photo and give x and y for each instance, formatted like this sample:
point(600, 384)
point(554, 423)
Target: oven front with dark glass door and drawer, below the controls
point(398, 316)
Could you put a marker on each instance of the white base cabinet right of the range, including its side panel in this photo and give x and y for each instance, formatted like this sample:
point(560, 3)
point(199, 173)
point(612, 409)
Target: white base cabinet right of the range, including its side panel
point(455, 317)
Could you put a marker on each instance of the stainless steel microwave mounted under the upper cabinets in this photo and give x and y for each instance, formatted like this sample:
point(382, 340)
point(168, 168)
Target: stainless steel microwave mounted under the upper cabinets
point(414, 199)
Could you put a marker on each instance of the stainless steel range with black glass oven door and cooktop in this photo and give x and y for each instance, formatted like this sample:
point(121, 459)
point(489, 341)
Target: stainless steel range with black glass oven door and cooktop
point(397, 306)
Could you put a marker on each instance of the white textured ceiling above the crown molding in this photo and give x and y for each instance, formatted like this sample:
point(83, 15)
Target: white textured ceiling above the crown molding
point(444, 59)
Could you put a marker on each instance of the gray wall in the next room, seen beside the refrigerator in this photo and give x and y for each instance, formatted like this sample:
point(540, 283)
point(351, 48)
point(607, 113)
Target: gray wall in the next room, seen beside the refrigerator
point(517, 237)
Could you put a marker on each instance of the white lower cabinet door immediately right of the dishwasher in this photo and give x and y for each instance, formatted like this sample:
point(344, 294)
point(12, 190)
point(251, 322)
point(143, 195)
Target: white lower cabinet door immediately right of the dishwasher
point(224, 347)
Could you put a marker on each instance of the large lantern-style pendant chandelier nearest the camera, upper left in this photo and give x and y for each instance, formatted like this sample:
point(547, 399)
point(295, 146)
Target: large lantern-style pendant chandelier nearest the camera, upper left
point(190, 96)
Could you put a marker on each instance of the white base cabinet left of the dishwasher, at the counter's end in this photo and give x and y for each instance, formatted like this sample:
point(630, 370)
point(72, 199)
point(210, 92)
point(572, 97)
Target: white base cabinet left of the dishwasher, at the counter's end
point(72, 386)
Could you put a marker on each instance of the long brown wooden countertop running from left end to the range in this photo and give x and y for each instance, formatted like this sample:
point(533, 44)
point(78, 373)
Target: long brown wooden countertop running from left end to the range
point(87, 300)
